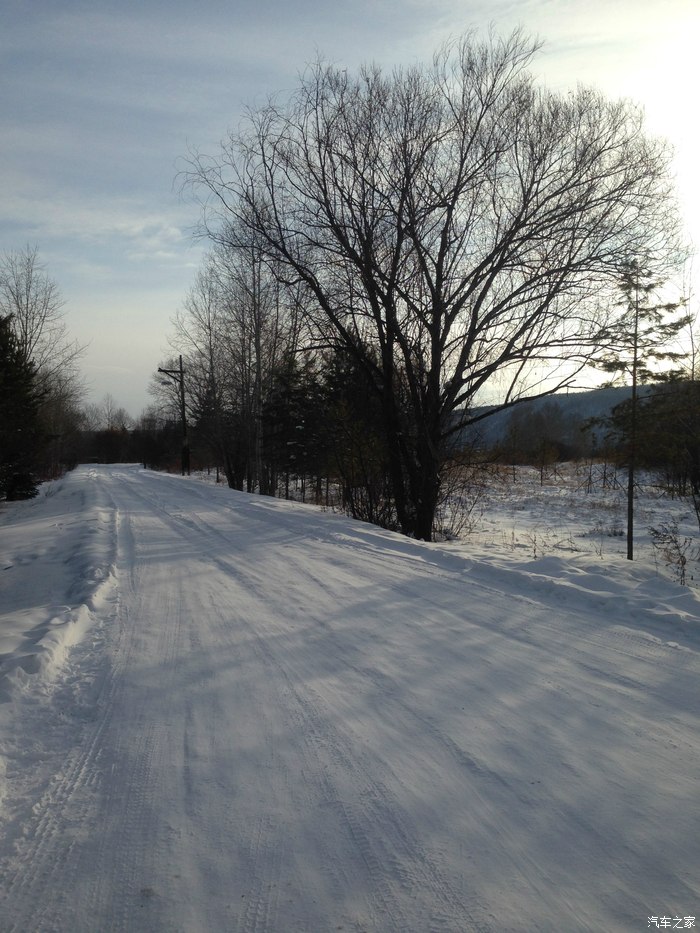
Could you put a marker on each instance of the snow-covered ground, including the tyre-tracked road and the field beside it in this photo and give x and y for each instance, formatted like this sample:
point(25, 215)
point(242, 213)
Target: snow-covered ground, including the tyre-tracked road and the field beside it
point(220, 712)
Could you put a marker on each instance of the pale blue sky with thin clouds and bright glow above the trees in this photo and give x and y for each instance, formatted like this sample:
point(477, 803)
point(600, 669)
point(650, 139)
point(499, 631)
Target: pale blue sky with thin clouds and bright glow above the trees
point(101, 101)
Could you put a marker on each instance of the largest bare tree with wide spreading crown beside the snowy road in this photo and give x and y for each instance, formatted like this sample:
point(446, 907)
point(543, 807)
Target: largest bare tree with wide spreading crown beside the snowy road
point(451, 225)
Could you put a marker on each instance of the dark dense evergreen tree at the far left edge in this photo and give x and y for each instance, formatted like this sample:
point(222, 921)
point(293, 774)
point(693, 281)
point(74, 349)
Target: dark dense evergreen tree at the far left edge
point(20, 435)
